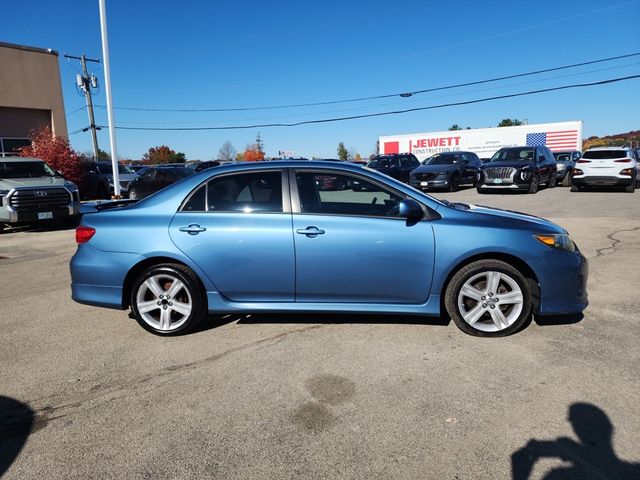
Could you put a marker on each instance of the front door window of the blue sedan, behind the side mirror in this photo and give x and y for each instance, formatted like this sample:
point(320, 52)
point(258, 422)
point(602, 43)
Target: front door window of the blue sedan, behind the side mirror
point(331, 194)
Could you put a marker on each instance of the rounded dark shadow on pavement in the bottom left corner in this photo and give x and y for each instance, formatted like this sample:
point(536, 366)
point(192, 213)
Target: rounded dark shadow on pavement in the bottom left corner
point(16, 422)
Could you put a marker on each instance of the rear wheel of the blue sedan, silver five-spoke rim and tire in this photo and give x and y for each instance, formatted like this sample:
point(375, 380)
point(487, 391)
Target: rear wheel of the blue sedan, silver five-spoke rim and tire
point(168, 299)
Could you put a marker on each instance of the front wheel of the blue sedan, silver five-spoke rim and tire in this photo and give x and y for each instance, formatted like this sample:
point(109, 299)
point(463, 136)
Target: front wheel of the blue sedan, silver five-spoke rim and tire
point(489, 298)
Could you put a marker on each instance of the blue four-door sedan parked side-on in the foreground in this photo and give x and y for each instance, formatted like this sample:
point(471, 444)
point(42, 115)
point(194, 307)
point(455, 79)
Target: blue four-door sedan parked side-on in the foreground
point(270, 237)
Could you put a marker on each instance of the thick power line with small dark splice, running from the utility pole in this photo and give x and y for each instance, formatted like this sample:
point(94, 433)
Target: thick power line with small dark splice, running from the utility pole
point(378, 97)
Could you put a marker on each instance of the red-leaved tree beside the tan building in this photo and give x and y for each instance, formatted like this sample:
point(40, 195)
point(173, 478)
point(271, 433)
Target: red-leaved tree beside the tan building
point(56, 152)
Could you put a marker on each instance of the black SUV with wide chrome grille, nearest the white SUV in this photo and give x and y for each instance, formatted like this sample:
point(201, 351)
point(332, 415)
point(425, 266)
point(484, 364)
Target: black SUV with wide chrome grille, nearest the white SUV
point(518, 168)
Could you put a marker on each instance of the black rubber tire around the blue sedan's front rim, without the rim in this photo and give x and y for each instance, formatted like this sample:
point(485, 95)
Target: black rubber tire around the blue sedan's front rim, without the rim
point(473, 269)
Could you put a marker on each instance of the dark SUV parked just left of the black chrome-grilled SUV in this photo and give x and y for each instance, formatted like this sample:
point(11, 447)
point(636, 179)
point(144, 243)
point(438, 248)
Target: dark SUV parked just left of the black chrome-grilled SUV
point(446, 170)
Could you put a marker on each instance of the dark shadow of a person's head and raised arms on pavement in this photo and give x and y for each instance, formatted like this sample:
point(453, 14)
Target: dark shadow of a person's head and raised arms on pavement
point(591, 457)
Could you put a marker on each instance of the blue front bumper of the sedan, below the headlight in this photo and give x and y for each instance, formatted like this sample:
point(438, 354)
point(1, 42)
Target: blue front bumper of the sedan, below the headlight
point(562, 277)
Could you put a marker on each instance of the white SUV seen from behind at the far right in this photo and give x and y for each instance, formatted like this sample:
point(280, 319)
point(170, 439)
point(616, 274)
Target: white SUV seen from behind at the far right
point(606, 166)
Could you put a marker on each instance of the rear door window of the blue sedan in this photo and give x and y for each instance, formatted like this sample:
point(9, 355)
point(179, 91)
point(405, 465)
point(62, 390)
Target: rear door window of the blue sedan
point(246, 192)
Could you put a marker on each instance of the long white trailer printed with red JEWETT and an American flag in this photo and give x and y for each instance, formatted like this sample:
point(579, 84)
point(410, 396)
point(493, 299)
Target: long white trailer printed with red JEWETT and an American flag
point(485, 142)
